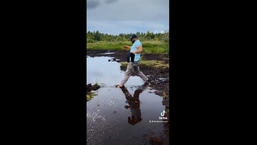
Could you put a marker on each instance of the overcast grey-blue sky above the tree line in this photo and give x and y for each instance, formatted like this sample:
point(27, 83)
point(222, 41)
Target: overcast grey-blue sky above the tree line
point(127, 16)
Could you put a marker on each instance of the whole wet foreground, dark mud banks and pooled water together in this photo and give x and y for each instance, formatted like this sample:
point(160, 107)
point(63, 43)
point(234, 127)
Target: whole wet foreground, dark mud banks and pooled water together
point(130, 115)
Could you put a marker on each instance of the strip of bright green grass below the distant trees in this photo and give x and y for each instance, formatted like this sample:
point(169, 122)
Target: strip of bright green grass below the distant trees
point(149, 47)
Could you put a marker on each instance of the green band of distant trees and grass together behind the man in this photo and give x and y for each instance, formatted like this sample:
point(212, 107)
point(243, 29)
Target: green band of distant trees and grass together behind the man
point(152, 43)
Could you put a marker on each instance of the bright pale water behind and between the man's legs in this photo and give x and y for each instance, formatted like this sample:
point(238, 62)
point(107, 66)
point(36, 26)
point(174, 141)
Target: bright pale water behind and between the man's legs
point(100, 70)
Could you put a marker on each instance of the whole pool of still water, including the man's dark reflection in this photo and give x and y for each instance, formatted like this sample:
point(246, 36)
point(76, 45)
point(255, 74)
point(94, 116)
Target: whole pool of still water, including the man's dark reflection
point(109, 113)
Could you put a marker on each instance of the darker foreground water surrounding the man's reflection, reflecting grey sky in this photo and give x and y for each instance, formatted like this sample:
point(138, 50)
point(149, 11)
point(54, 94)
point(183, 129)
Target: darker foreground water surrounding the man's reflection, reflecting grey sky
point(110, 123)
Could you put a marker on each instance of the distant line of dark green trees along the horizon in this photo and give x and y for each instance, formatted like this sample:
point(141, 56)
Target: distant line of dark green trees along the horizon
point(98, 36)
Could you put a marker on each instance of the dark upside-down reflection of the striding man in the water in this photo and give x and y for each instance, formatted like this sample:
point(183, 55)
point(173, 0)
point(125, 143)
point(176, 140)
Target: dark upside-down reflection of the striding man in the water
point(134, 103)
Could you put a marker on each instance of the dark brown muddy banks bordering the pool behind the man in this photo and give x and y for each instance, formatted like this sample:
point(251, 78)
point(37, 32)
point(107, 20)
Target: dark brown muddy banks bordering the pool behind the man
point(159, 78)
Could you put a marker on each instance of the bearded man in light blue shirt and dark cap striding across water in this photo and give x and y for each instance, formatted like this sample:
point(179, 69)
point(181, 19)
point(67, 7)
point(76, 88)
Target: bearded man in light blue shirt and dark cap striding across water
point(133, 64)
